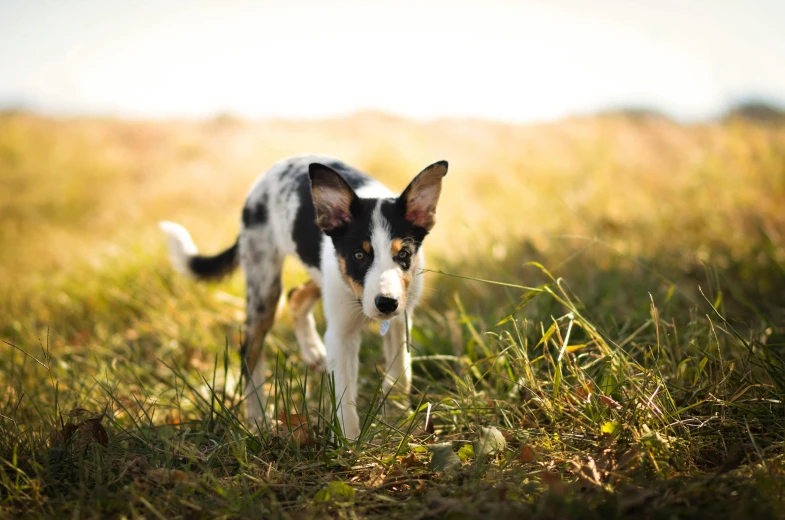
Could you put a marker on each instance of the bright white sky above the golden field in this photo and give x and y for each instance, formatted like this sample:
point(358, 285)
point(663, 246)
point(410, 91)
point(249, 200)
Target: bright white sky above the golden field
point(518, 61)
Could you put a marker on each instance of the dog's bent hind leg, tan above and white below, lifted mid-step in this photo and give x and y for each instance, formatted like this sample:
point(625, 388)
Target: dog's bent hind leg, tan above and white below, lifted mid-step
point(301, 302)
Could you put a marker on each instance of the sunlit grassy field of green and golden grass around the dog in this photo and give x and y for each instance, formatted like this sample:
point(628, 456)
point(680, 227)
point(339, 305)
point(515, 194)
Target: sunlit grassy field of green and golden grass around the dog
point(603, 333)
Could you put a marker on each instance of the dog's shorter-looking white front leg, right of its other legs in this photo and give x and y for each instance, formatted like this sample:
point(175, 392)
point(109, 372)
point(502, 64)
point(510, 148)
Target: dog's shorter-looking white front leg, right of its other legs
point(398, 373)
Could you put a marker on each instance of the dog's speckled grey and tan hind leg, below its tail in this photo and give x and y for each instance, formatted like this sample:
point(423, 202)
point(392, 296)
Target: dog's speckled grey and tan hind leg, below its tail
point(262, 267)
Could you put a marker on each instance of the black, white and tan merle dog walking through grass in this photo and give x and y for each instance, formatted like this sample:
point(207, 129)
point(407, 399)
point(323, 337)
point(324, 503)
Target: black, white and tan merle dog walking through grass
point(362, 247)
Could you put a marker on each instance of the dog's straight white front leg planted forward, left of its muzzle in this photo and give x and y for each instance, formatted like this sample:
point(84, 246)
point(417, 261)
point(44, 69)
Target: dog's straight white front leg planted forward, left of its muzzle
point(342, 340)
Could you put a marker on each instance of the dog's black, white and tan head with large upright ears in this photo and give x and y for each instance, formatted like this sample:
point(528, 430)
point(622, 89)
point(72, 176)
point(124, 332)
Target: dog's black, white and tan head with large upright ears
point(377, 241)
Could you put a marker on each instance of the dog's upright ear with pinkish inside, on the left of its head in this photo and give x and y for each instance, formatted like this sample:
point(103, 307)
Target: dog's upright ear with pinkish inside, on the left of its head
point(332, 197)
